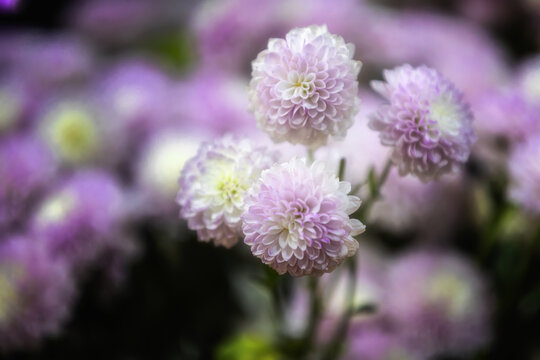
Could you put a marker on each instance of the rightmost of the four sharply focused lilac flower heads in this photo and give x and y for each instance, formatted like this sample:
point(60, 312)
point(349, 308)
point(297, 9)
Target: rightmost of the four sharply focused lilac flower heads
point(426, 122)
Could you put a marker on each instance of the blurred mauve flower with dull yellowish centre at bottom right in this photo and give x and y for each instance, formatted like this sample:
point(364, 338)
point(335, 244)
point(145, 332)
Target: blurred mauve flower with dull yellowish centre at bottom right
point(440, 302)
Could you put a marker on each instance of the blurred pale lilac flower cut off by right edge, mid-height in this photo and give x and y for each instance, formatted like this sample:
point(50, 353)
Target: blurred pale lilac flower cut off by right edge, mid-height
point(524, 166)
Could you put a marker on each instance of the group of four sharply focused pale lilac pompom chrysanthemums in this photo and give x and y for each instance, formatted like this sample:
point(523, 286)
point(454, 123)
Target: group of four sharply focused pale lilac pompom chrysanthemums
point(295, 216)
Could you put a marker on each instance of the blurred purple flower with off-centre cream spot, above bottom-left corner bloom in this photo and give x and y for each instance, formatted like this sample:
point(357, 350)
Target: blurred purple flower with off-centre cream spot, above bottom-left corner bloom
point(81, 218)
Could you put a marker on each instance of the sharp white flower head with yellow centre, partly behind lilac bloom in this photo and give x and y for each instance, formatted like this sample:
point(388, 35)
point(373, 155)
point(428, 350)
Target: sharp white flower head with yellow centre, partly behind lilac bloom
point(213, 186)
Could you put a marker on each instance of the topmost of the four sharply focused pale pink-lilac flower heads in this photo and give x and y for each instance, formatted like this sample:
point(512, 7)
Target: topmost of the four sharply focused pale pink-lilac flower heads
point(304, 88)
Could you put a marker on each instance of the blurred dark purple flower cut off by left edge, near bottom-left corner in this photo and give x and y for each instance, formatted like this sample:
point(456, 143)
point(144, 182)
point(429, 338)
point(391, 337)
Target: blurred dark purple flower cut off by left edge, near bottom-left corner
point(35, 293)
